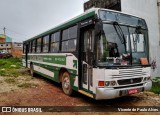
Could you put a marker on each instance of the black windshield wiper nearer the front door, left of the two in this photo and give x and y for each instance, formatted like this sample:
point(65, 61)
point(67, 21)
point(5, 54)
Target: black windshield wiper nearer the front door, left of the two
point(120, 34)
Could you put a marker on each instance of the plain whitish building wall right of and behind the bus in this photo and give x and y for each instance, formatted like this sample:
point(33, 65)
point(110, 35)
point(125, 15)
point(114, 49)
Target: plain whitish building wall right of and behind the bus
point(148, 10)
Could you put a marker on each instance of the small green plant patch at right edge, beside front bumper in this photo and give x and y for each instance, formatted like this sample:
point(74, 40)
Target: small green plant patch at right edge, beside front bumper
point(156, 85)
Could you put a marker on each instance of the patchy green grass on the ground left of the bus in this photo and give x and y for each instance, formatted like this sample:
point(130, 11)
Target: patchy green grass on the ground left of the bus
point(12, 72)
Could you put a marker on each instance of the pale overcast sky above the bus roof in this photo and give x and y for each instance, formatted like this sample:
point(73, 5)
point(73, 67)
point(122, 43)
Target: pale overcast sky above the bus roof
point(24, 19)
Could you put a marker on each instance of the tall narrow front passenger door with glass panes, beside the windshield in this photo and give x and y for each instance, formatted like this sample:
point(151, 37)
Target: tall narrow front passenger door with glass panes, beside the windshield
point(87, 36)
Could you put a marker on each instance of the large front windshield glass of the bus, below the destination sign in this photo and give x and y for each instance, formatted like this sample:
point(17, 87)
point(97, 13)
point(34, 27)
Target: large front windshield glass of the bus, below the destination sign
point(123, 46)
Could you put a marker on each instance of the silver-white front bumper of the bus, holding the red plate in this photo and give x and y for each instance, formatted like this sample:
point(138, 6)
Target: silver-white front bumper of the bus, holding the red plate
point(110, 93)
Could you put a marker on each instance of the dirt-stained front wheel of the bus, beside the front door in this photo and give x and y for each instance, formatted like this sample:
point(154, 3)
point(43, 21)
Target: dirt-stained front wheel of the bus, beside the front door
point(66, 85)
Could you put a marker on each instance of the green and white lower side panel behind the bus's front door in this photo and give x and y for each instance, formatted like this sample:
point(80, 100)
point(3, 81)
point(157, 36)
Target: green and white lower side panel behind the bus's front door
point(49, 66)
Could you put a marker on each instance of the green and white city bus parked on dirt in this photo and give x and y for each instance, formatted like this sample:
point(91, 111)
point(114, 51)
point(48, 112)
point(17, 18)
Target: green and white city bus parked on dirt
point(101, 53)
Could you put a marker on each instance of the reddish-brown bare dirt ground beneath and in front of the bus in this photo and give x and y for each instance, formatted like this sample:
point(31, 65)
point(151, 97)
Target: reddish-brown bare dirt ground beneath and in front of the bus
point(49, 93)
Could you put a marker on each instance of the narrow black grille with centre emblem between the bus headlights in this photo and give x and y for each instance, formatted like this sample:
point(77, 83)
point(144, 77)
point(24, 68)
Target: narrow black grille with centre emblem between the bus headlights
point(129, 81)
